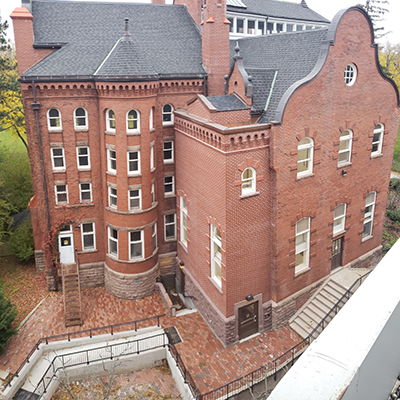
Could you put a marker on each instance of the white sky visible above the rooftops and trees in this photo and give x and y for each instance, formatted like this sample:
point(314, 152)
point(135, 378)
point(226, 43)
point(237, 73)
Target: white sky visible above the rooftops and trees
point(324, 7)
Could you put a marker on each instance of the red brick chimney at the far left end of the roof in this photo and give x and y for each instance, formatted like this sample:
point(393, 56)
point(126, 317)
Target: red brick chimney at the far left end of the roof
point(23, 33)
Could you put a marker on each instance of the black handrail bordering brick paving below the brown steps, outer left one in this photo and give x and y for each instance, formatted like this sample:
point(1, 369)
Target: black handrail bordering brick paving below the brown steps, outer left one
point(68, 336)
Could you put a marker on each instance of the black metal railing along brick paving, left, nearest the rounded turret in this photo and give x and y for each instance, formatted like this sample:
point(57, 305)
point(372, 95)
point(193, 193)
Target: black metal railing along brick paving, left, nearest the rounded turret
point(84, 333)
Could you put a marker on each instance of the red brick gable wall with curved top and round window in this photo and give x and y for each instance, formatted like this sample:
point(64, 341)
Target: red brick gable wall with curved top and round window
point(321, 109)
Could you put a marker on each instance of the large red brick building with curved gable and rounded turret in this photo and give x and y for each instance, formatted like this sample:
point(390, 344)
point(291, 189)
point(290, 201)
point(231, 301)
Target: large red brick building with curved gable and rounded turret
point(249, 169)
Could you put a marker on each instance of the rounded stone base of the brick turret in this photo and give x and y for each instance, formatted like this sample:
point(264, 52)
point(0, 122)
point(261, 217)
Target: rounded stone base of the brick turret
point(130, 286)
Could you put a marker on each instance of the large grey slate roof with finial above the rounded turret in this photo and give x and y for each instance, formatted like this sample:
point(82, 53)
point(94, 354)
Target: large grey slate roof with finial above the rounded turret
point(165, 40)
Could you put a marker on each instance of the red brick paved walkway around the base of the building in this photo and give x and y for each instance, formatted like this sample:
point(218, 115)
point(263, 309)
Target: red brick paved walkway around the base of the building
point(210, 363)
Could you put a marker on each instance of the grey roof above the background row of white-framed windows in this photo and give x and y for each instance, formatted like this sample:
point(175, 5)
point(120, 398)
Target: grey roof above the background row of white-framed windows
point(279, 9)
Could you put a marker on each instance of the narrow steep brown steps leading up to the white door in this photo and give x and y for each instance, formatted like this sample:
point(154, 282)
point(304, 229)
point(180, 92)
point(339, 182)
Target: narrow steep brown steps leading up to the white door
point(72, 295)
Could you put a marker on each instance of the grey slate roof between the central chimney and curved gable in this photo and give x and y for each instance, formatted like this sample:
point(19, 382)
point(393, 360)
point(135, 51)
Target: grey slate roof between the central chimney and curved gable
point(289, 56)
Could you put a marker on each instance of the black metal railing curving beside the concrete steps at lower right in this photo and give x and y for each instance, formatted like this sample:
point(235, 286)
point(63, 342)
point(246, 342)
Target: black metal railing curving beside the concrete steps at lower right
point(248, 381)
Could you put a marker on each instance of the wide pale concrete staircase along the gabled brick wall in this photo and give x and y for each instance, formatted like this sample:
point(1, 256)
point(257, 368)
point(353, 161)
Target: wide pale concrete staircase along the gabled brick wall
point(312, 313)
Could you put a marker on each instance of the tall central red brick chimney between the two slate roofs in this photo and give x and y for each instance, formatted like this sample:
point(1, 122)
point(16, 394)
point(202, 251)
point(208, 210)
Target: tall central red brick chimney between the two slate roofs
point(215, 45)
